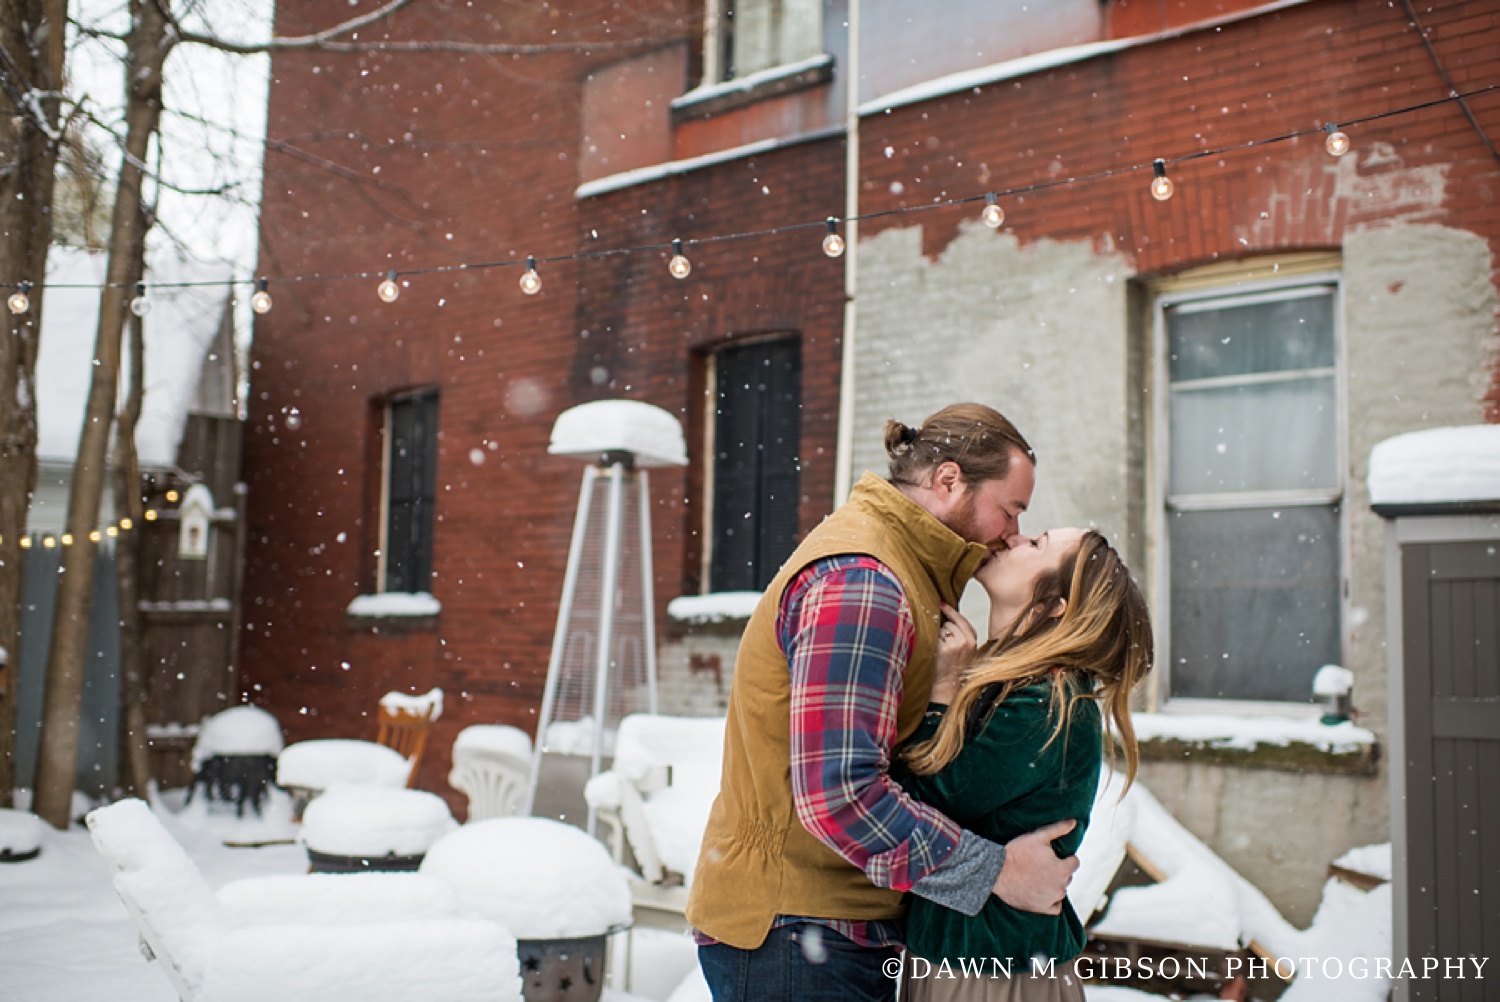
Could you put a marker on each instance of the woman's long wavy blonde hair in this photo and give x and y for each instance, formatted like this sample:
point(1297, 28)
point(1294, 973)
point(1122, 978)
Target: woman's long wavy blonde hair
point(1103, 637)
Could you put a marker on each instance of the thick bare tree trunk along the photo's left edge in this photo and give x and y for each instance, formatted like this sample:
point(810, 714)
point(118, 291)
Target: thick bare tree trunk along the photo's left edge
point(31, 82)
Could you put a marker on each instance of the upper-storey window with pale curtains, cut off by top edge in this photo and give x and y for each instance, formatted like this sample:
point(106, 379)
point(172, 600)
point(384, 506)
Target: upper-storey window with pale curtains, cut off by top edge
point(746, 37)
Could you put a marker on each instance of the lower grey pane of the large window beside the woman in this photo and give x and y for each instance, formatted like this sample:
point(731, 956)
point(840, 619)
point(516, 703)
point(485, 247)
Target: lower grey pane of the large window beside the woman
point(1255, 602)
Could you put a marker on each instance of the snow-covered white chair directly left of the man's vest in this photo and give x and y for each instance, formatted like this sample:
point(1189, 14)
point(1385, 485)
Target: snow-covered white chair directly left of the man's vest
point(656, 800)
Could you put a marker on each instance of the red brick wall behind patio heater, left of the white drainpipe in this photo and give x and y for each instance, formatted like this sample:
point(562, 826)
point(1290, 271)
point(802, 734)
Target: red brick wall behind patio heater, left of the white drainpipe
point(481, 172)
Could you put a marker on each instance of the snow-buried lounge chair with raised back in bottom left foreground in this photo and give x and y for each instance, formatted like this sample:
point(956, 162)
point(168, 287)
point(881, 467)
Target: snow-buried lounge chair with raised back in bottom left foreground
point(379, 937)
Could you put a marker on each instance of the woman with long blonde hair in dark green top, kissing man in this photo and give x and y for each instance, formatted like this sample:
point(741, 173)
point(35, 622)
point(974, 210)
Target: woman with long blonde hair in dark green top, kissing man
point(1015, 742)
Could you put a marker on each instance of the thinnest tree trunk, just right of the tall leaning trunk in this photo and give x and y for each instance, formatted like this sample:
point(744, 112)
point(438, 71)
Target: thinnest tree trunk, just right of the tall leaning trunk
point(134, 749)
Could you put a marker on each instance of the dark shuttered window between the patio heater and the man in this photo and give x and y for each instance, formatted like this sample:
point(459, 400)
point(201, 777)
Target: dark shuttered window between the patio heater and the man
point(757, 472)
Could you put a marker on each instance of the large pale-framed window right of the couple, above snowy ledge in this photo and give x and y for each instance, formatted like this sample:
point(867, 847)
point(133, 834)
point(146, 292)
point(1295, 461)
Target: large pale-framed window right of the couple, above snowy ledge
point(1253, 491)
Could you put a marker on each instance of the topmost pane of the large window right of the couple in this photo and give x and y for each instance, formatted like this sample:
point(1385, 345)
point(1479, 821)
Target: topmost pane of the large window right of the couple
point(1256, 338)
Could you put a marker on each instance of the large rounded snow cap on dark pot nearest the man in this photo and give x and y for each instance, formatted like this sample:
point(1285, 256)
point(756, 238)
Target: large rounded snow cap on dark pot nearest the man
point(539, 878)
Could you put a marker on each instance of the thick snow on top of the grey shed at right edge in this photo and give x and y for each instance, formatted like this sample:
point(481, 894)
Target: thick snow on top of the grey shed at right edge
point(1438, 466)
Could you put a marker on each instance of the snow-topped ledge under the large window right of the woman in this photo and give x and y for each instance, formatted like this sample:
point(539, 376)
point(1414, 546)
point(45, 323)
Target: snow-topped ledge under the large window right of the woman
point(1297, 743)
